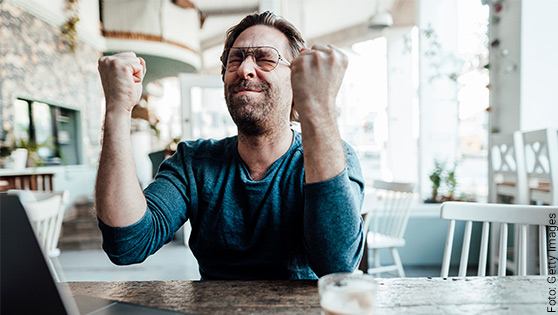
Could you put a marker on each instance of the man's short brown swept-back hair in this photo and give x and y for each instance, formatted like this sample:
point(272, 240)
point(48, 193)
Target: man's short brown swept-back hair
point(296, 42)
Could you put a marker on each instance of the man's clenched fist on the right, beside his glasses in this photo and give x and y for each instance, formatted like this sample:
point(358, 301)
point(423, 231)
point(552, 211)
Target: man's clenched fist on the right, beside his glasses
point(316, 76)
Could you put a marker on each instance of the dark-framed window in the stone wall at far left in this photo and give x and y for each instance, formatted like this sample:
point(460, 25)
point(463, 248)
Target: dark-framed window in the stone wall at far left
point(49, 130)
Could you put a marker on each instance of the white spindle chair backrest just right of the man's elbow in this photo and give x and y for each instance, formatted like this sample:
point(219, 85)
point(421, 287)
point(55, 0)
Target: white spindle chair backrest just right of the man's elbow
point(389, 208)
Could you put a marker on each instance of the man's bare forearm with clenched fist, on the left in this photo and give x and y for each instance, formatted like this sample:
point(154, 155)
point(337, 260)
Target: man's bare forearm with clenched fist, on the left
point(119, 200)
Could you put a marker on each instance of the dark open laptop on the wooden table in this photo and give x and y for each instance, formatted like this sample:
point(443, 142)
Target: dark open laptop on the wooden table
point(27, 283)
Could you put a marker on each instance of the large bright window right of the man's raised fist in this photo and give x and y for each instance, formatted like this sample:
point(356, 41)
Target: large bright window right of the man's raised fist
point(390, 76)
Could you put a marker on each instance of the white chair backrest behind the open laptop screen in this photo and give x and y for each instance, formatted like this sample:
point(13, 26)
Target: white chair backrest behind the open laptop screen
point(46, 212)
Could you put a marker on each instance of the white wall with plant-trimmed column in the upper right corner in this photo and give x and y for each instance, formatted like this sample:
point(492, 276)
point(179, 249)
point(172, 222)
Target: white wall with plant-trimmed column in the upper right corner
point(524, 93)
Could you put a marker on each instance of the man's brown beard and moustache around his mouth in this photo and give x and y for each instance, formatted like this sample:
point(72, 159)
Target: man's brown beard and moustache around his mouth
point(253, 117)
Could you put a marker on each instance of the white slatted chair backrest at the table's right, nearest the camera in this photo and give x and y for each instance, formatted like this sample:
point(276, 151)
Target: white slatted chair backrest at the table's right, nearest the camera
point(504, 214)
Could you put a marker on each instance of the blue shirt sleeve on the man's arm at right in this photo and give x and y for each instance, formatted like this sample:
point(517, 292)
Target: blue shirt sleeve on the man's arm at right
point(333, 227)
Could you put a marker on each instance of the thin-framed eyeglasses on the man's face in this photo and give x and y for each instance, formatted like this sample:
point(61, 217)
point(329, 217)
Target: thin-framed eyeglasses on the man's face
point(266, 57)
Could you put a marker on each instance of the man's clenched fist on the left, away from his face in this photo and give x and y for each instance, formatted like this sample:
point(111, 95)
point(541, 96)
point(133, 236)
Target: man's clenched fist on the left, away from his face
point(122, 75)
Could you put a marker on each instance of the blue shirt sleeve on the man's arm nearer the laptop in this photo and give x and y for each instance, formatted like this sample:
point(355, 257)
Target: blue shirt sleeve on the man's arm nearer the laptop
point(167, 201)
